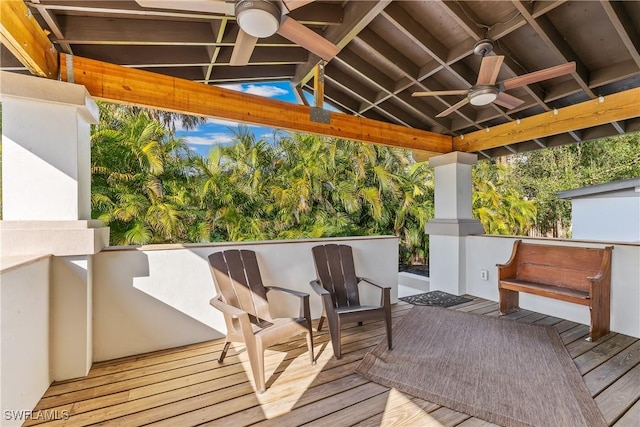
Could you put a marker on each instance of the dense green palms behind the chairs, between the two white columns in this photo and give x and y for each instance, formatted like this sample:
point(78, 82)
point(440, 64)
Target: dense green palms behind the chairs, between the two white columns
point(149, 190)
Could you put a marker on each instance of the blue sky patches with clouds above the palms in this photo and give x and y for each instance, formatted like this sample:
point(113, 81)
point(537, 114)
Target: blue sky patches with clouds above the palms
point(220, 131)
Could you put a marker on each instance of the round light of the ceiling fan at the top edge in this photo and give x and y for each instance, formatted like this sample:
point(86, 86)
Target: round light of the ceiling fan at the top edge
point(258, 18)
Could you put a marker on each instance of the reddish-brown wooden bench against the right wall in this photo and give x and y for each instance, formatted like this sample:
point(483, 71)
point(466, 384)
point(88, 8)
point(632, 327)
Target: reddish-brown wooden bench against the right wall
point(567, 273)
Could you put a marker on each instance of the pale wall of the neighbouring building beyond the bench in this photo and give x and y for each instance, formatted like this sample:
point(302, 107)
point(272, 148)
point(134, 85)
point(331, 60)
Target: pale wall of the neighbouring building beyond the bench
point(606, 218)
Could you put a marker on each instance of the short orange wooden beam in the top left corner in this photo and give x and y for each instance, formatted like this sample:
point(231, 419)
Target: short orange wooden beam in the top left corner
point(21, 34)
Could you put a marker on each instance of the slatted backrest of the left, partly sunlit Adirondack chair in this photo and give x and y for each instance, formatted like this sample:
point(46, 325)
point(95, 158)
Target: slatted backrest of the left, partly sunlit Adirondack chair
point(238, 280)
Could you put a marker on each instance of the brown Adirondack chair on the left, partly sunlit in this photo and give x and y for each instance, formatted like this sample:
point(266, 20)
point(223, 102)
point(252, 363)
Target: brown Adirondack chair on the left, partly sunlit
point(242, 298)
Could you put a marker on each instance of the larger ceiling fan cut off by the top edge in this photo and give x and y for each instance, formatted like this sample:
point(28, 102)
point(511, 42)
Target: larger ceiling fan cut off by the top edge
point(257, 19)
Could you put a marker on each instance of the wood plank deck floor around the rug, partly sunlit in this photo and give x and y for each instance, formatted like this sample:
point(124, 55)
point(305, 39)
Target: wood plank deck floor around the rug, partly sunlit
point(186, 386)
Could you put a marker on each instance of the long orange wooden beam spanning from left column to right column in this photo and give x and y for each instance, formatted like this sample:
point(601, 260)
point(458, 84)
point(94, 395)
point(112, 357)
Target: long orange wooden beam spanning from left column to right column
point(130, 86)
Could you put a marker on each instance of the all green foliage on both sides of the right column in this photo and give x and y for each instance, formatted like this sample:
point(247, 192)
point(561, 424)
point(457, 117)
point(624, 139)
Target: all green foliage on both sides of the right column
point(149, 189)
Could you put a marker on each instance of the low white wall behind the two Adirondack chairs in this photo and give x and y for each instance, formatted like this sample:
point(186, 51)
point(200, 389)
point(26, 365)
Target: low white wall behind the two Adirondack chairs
point(147, 299)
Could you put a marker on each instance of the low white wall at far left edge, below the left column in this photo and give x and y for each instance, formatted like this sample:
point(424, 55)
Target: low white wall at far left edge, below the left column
point(24, 325)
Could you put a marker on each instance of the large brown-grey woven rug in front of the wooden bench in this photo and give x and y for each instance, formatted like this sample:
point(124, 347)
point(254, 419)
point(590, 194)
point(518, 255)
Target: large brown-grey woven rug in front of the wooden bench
point(499, 370)
